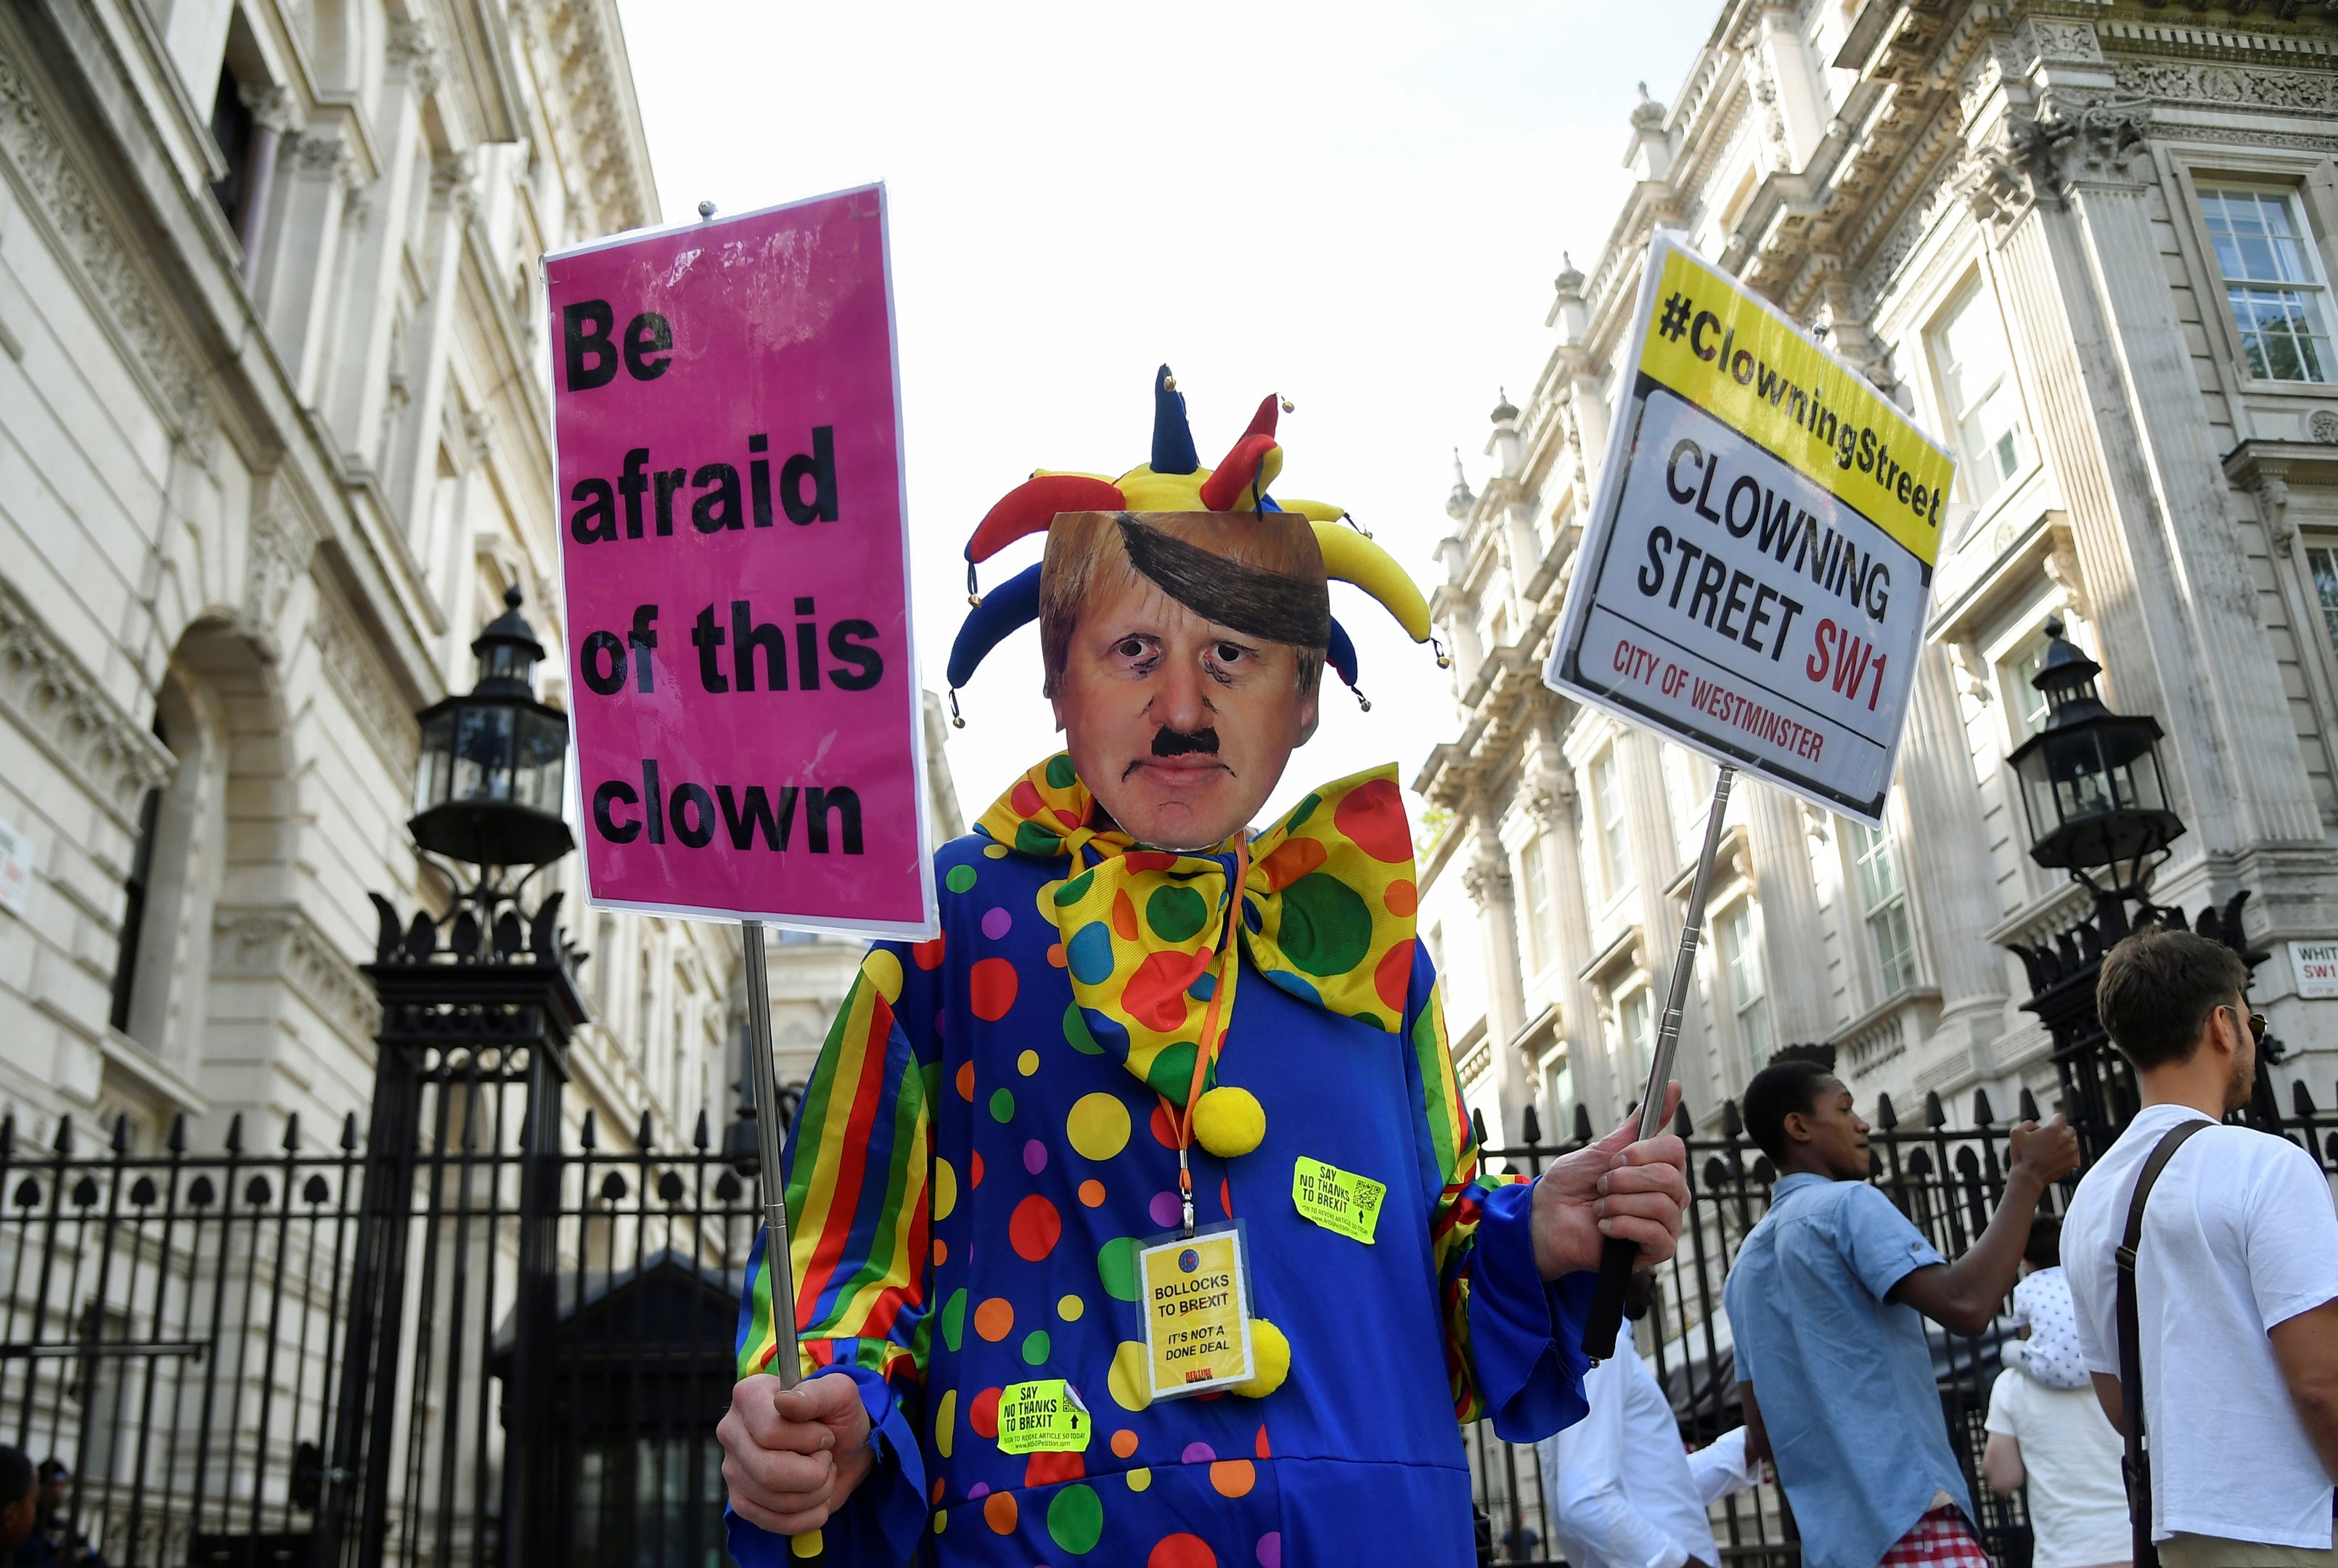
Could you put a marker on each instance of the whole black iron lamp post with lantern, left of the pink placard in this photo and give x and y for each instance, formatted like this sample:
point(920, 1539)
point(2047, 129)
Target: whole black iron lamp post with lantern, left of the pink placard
point(473, 1004)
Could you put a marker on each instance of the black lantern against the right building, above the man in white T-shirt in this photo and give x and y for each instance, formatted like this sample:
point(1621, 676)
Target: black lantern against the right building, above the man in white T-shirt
point(2091, 782)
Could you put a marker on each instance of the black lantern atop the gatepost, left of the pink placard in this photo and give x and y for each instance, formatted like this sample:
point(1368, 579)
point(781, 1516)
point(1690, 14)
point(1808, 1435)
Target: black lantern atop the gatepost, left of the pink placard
point(494, 763)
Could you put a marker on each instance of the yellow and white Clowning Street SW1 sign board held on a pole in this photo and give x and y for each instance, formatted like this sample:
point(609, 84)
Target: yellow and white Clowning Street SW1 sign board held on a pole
point(1757, 564)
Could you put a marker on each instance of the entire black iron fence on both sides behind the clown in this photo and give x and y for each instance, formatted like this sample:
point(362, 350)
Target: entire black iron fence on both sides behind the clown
point(177, 1331)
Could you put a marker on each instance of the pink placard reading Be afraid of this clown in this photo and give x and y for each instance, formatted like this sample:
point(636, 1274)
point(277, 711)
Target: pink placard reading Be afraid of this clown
point(735, 557)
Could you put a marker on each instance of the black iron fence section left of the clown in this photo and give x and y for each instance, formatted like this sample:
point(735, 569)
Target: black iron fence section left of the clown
point(177, 1333)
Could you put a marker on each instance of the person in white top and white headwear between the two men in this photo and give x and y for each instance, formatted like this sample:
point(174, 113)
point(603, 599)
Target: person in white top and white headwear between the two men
point(2047, 1429)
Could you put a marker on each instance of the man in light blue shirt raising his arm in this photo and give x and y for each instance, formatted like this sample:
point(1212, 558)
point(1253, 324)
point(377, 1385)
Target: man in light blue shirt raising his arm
point(1827, 1310)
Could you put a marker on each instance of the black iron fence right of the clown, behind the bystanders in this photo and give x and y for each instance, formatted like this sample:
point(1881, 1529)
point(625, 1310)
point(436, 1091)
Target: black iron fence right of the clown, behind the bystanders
point(1946, 1181)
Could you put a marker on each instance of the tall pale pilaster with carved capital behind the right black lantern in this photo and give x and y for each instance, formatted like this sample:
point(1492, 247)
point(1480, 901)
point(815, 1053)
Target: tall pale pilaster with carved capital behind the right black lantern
point(2061, 179)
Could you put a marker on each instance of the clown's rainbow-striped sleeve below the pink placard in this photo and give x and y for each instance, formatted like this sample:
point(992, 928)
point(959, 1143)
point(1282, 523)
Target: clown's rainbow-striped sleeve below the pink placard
point(857, 1195)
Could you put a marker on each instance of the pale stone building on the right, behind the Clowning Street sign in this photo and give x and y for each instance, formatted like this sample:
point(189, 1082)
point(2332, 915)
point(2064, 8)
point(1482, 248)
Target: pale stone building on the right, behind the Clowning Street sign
point(2091, 247)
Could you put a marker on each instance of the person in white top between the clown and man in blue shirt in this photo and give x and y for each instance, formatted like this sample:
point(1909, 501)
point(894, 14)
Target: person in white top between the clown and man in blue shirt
point(1619, 1485)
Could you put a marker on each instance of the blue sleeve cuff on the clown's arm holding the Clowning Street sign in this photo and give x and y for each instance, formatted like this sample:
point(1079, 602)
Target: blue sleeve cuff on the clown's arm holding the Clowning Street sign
point(1526, 1333)
